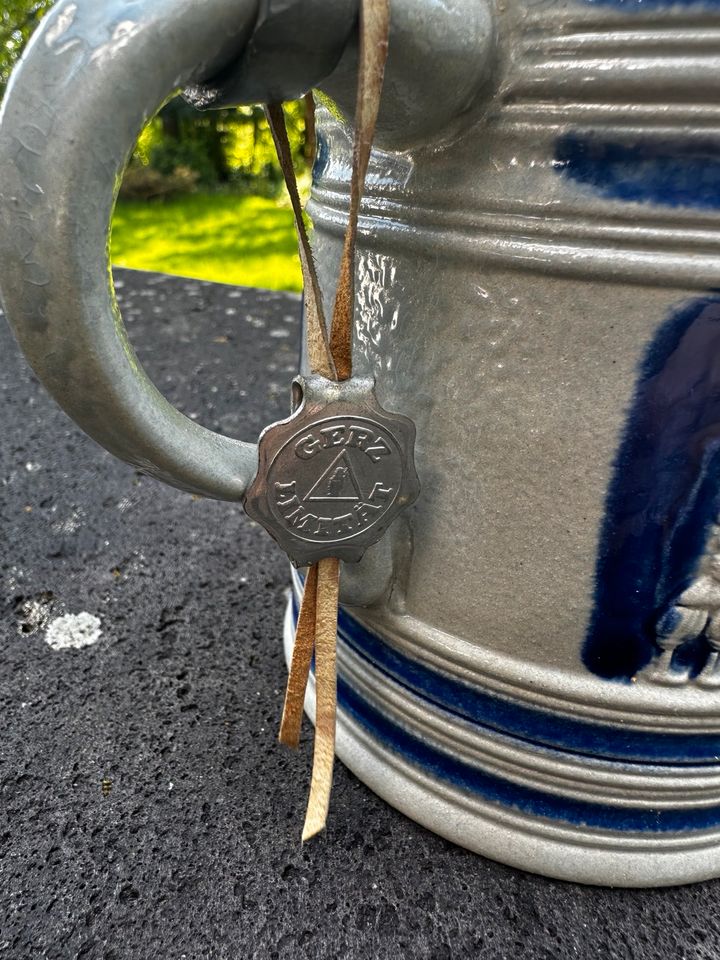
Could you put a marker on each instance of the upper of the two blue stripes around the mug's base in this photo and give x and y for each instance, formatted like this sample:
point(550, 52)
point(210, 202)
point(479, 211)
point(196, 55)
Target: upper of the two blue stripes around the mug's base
point(534, 726)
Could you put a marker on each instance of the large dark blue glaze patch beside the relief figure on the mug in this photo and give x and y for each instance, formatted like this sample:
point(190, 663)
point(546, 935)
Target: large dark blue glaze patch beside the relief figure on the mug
point(663, 496)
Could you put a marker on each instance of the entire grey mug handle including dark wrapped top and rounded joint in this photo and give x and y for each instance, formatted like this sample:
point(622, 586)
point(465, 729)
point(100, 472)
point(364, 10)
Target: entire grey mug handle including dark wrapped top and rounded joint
point(92, 76)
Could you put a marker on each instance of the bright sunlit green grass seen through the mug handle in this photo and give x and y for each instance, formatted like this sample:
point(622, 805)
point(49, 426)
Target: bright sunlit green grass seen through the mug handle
point(231, 239)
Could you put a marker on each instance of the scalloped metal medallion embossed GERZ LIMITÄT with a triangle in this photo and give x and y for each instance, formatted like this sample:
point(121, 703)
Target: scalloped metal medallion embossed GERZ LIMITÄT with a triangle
point(334, 475)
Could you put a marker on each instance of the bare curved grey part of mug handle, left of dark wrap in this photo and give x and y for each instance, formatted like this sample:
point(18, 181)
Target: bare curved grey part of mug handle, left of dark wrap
point(92, 76)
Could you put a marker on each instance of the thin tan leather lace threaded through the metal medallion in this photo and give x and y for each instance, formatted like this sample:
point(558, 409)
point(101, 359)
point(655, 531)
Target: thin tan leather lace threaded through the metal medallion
point(330, 357)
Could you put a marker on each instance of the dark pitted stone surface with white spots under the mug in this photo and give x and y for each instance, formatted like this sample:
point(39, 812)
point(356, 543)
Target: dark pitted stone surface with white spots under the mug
point(146, 809)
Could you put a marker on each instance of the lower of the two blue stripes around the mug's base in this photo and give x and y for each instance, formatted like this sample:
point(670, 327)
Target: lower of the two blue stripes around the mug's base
point(503, 792)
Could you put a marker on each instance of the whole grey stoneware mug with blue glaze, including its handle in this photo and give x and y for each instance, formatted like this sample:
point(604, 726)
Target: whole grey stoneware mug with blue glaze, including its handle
point(529, 663)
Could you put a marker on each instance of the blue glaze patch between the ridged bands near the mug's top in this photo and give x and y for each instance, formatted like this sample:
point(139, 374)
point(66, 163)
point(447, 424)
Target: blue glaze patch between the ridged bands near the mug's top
point(672, 171)
